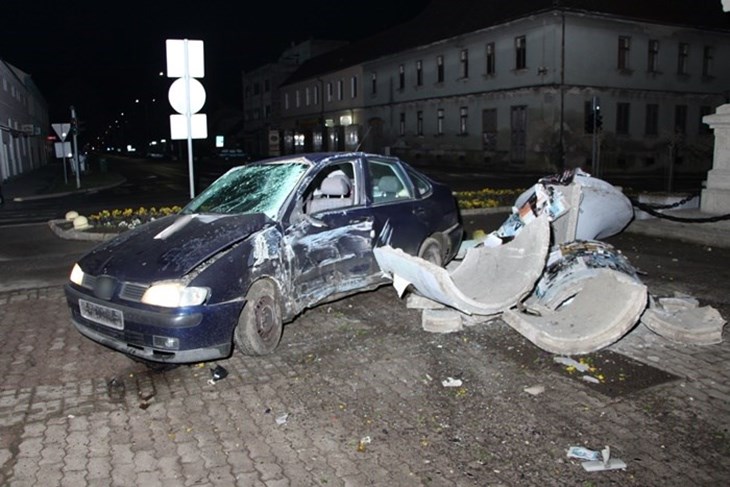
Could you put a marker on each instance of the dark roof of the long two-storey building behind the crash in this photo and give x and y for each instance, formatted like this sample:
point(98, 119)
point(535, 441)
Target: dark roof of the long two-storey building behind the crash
point(444, 19)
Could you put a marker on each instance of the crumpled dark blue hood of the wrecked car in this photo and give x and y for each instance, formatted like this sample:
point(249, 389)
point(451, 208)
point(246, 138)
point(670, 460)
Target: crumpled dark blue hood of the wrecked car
point(170, 247)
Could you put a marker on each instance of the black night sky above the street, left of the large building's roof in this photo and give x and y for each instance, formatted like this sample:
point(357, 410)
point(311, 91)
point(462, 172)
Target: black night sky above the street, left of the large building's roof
point(102, 55)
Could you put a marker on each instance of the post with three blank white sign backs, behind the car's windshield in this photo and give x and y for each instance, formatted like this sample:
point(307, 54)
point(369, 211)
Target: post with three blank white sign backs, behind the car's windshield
point(186, 95)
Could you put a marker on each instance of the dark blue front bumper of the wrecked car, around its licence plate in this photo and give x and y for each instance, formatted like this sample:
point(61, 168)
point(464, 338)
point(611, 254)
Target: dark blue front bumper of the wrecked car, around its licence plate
point(201, 334)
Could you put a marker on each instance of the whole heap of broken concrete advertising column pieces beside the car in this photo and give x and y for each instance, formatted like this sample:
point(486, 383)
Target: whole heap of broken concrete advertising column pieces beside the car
point(545, 272)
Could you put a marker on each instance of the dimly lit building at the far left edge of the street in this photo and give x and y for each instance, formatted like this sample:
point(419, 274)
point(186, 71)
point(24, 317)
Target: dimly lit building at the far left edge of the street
point(23, 123)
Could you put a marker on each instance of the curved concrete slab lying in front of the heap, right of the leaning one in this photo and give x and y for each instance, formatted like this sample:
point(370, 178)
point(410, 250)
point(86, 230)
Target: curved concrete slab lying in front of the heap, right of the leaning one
point(579, 325)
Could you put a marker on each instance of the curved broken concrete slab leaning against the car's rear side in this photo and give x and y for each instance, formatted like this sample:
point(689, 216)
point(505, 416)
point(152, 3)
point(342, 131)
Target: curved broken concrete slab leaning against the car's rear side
point(488, 281)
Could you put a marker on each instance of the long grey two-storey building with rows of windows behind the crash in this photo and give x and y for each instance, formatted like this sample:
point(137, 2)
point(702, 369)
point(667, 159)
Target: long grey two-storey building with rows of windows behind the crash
point(523, 92)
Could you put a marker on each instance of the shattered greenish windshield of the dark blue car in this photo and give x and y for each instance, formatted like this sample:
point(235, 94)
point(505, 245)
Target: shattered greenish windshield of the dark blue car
point(254, 188)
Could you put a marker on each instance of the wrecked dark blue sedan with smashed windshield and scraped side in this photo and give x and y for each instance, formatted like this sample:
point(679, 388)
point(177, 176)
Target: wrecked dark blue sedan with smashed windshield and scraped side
point(264, 242)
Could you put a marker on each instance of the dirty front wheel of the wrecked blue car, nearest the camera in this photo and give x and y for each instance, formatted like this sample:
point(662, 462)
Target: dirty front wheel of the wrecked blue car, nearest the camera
point(260, 324)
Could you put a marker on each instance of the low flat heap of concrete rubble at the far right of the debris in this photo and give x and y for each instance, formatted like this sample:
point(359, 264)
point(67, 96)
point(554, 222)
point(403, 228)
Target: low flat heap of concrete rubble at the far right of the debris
point(682, 320)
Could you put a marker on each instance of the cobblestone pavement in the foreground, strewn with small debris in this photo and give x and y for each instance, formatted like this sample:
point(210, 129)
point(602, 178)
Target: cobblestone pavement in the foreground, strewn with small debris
point(353, 396)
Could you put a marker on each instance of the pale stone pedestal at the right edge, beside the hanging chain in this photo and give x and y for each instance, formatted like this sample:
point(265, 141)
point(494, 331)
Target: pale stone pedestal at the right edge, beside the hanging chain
point(716, 195)
